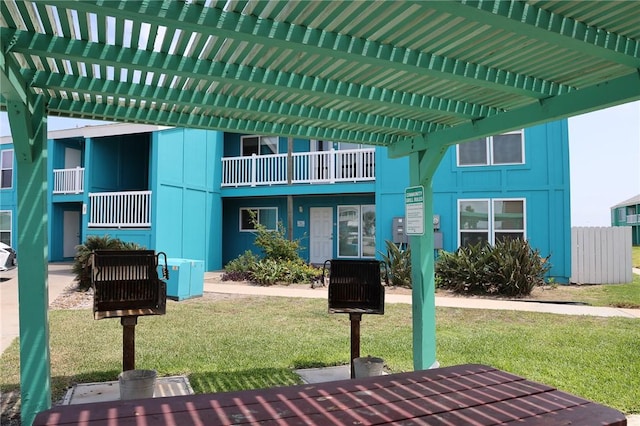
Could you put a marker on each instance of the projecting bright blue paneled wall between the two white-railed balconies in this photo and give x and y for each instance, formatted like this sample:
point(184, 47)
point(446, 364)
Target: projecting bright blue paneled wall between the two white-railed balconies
point(186, 181)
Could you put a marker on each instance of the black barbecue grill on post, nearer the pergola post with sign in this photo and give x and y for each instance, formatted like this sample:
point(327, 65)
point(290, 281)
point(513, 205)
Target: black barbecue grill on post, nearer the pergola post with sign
point(355, 288)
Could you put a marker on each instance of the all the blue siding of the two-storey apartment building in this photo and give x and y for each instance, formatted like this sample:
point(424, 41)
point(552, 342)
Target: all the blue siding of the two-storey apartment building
point(193, 217)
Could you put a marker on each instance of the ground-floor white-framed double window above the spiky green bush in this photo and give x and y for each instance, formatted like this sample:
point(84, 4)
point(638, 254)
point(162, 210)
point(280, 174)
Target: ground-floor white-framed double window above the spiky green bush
point(490, 221)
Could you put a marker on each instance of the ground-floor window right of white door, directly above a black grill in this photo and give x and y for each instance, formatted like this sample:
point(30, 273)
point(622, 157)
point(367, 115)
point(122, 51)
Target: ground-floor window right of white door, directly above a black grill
point(357, 231)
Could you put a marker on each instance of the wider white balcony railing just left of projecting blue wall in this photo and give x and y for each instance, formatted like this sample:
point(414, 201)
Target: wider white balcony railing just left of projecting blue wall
point(131, 209)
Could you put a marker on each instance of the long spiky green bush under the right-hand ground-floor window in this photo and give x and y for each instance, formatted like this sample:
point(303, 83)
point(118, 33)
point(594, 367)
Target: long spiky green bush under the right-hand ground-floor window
point(509, 268)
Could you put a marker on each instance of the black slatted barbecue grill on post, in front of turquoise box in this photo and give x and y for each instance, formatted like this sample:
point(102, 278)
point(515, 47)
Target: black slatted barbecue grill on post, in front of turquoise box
point(126, 286)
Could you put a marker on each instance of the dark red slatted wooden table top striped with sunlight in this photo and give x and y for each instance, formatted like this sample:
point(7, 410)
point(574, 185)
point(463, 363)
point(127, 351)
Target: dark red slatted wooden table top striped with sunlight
point(459, 395)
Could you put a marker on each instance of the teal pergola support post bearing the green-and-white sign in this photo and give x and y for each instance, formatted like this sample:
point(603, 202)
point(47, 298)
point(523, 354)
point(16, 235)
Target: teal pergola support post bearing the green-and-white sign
point(423, 165)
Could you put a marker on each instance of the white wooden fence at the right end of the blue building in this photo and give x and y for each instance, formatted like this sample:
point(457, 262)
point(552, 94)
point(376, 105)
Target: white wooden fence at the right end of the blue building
point(601, 255)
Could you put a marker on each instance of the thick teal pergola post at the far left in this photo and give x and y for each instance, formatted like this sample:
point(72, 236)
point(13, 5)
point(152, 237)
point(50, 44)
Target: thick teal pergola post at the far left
point(27, 120)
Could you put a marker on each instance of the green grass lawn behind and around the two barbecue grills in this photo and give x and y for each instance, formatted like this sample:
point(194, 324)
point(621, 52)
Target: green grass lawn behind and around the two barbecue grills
point(254, 342)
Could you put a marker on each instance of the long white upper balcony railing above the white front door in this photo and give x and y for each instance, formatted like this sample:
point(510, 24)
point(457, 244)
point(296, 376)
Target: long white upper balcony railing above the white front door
point(357, 165)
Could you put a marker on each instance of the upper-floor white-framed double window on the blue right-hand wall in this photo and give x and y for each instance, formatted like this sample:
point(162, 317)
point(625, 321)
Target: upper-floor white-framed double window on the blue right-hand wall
point(501, 149)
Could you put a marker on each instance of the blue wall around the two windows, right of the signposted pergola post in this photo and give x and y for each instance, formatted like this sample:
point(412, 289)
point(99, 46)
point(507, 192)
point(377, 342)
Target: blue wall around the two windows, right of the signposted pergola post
point(543, 181)
